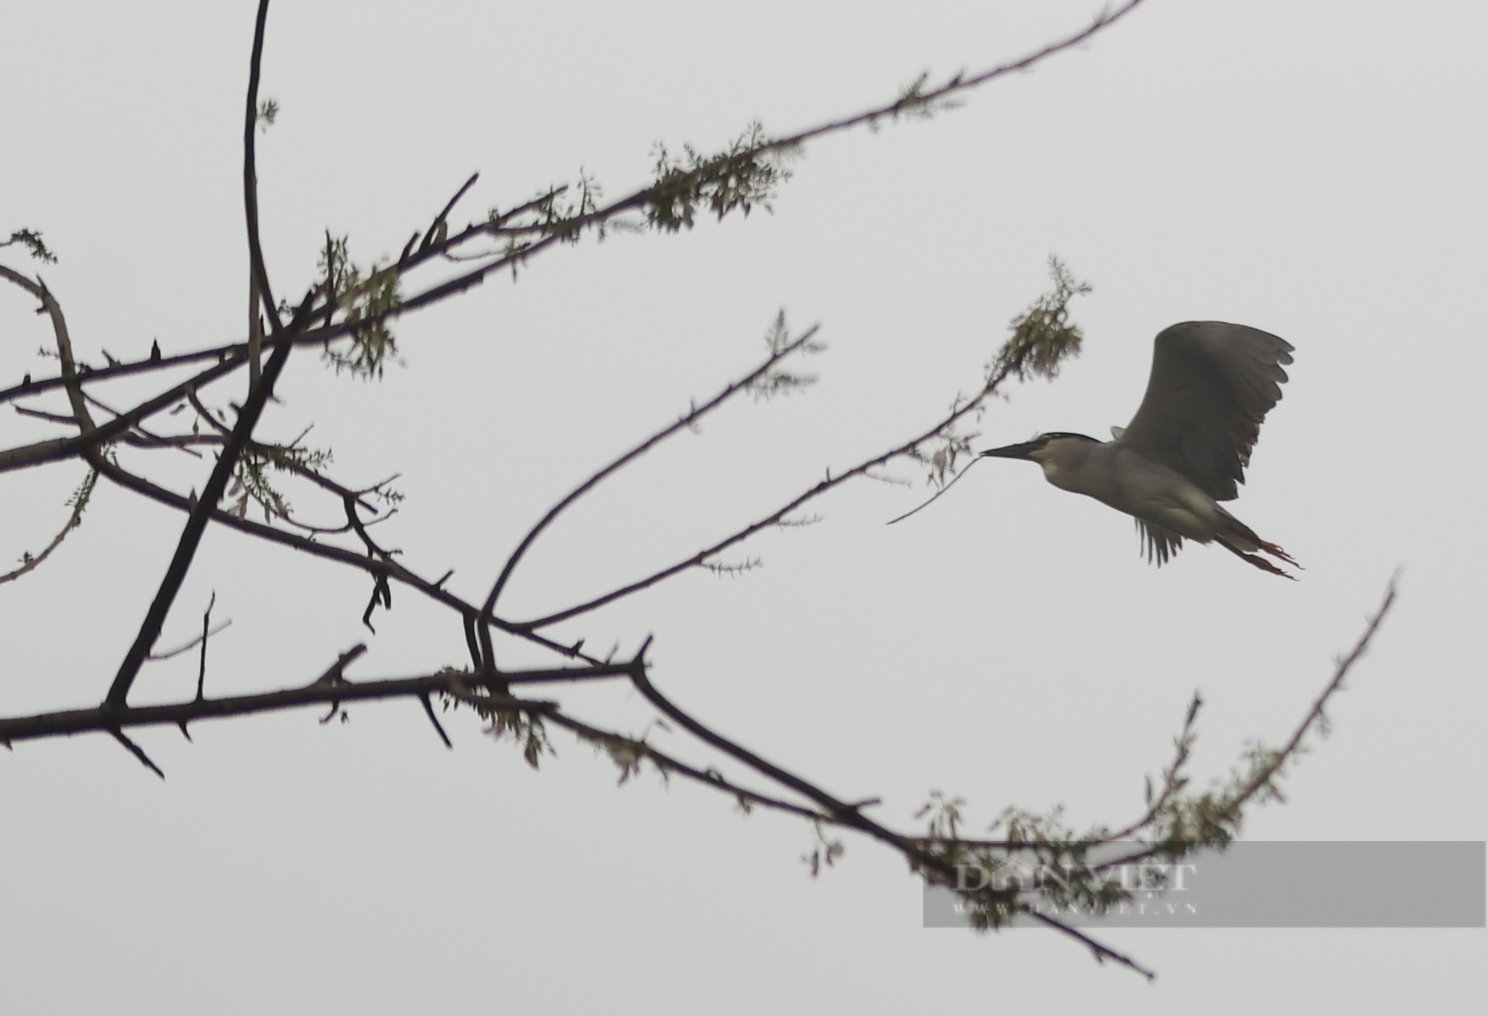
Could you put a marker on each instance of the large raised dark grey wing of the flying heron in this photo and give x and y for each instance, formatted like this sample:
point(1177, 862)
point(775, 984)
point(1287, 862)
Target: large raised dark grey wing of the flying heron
point(1212, 385)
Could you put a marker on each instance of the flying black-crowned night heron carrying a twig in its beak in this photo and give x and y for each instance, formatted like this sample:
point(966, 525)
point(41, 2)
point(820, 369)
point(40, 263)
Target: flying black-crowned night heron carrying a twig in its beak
point(1187, 448)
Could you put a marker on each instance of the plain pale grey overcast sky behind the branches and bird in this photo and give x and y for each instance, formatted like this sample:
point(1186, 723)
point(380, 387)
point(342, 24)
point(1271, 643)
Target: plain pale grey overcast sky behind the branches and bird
point(1315, 170)
